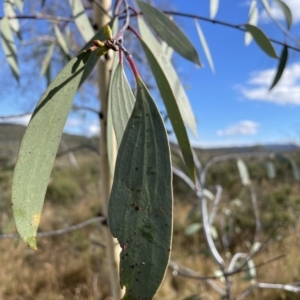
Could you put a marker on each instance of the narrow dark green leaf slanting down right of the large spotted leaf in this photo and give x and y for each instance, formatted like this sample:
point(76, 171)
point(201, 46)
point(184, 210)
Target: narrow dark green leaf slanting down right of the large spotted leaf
point(168, 97)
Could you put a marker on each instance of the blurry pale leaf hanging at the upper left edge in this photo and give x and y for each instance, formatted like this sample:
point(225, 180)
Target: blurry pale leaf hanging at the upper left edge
point(9, 47)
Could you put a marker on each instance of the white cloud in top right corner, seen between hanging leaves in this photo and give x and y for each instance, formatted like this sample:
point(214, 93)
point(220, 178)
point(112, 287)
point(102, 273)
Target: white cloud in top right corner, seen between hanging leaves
point(277, 13)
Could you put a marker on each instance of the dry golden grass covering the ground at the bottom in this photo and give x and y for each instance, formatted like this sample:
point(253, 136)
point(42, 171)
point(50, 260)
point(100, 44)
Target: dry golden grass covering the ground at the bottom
point(71, 266)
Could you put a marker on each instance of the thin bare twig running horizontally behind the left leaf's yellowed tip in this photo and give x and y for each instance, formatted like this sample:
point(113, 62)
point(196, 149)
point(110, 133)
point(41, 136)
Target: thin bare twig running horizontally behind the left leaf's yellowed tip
point(59, 231)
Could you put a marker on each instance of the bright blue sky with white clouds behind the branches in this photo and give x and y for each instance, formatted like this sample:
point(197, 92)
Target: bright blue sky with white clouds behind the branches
point(233, 106)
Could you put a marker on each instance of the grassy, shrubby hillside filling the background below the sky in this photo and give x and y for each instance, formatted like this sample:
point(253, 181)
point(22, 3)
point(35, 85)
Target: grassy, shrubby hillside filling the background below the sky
point(72, 266)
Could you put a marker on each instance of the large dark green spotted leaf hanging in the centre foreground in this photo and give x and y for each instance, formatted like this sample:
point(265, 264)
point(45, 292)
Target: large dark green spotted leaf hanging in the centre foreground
point(140, 205)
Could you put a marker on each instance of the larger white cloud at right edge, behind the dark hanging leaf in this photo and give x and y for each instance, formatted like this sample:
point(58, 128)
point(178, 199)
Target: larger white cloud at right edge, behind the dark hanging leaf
point(287, 91)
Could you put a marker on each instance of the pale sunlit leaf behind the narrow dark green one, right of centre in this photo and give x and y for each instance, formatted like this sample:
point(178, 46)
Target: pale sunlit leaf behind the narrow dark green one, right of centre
point(171, 75)
